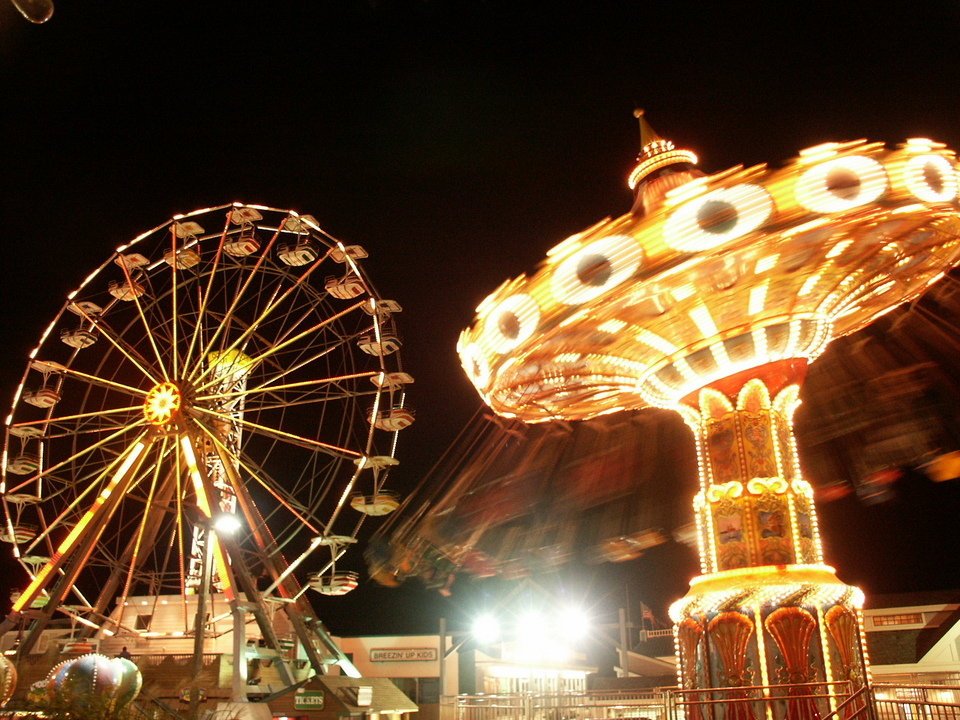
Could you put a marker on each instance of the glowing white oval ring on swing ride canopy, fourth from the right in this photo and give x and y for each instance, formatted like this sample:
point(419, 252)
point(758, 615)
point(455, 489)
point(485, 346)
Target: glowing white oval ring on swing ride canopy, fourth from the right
point(597, 267)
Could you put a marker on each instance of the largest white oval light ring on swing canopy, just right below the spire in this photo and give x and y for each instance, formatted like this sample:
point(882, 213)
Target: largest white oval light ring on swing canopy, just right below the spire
point(717, 217)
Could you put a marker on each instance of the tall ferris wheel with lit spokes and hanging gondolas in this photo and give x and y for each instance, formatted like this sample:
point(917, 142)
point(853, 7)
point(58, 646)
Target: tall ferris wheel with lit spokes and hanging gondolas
point(235, 361)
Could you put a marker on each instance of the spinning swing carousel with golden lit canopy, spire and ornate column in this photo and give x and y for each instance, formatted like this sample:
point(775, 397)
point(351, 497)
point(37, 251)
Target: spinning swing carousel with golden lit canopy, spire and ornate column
point(710, 299)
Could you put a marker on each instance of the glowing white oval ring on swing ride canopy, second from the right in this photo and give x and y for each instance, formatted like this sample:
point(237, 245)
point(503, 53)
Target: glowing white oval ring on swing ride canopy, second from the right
point(841, 184)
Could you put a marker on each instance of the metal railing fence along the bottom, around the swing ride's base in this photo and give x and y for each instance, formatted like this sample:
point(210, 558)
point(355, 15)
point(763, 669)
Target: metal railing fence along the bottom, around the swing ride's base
point(824, 701)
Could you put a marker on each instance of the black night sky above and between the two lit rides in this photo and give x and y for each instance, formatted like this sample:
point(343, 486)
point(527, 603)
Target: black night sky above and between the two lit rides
point(456, 141)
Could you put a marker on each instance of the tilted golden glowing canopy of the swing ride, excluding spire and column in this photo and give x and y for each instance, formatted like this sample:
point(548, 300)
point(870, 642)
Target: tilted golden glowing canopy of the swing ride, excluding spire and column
point(850, 231)
